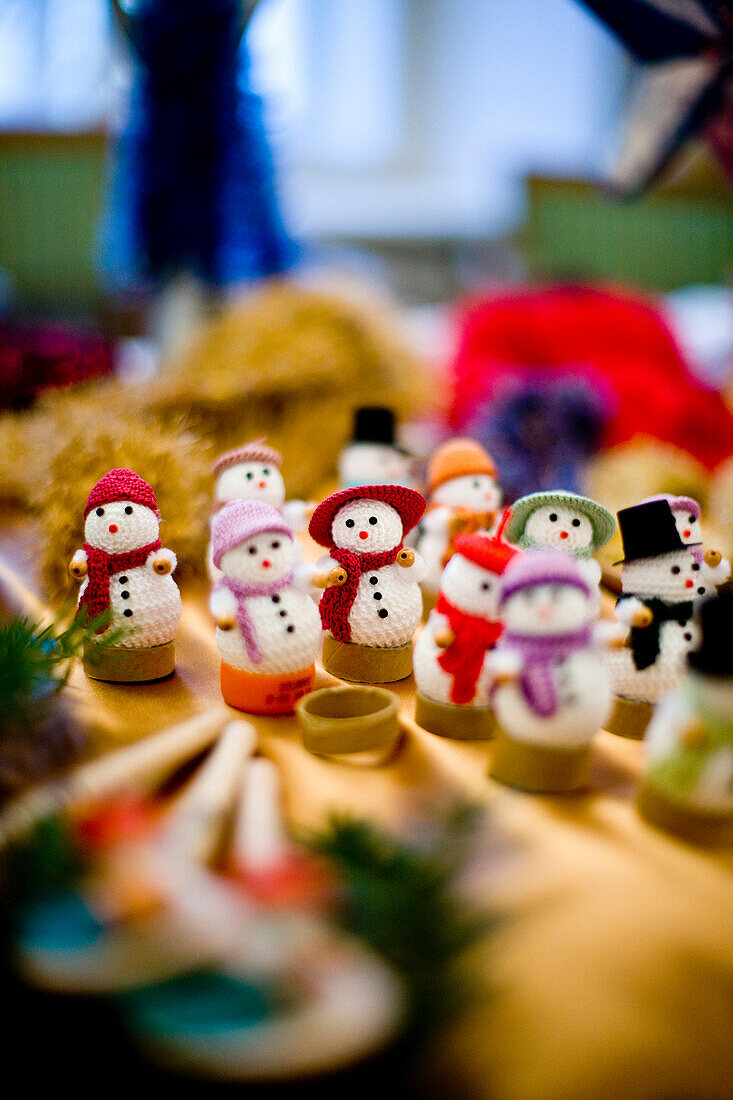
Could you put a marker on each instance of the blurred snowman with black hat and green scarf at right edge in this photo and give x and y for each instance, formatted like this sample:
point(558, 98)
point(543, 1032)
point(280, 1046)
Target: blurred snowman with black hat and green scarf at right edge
point(688, 786)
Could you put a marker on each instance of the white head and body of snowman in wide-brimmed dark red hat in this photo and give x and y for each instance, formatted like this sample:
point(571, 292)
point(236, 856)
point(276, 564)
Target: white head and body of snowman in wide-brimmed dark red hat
point(389, 604)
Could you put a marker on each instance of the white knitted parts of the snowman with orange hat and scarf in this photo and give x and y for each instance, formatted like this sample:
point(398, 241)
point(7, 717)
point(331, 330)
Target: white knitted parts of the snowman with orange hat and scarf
point(477, 493)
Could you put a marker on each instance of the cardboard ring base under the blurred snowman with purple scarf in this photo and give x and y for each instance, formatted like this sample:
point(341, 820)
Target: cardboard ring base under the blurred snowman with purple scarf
point(539, 768)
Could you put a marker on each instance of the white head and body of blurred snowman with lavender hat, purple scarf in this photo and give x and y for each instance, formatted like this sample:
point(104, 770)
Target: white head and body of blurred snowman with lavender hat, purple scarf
point(581, 683)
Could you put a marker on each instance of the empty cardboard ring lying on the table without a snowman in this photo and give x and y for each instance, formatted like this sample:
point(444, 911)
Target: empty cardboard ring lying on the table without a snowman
point(349, 720)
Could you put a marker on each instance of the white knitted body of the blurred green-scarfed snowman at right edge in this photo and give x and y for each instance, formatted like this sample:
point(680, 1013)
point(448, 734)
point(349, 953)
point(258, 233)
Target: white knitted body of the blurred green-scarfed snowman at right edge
point(713, 788)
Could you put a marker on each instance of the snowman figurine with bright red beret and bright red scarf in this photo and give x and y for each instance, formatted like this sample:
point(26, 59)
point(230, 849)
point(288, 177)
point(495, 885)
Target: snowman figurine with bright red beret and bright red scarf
point(451, 662)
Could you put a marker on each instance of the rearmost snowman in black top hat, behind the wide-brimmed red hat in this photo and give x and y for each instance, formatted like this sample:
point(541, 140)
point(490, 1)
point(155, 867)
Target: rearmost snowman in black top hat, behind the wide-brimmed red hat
point(374, 457)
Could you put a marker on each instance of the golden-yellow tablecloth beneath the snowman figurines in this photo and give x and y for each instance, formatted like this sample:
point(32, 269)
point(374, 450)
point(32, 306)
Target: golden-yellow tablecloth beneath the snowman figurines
point(614, 974)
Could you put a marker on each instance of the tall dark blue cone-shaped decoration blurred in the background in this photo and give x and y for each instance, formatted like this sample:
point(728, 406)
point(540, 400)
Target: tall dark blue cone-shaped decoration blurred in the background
point(193, 185)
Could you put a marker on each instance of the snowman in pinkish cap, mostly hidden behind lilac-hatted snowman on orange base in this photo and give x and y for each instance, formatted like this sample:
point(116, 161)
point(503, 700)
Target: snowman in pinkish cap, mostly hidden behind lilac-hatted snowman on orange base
point(253, 472)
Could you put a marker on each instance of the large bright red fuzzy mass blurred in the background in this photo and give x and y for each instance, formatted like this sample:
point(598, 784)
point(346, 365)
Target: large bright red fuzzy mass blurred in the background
point(615, 340)
